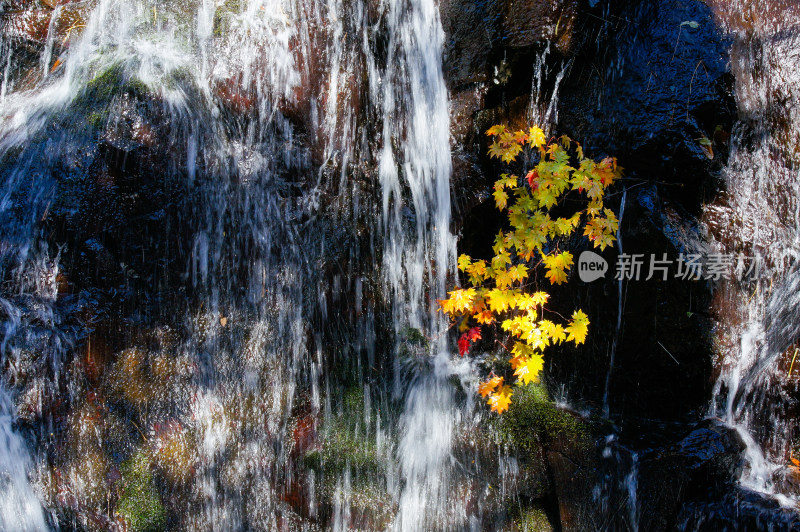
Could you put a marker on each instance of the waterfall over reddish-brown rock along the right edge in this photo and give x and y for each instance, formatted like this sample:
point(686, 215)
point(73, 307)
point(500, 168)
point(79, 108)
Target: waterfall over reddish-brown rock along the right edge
point(757, 219)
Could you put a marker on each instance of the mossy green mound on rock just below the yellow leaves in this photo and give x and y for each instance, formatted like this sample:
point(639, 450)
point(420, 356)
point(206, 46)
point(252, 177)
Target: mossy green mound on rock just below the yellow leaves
point(534, 420)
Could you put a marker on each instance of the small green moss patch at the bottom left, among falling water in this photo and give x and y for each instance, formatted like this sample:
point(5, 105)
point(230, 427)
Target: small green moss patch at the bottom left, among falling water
point(139, 502)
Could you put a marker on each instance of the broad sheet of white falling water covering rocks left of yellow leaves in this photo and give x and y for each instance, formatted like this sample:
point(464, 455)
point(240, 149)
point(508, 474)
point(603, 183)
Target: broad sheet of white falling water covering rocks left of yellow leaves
point(228, 298)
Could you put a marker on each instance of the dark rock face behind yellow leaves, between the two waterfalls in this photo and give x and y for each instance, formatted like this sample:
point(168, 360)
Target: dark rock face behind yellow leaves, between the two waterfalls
point(646, 82)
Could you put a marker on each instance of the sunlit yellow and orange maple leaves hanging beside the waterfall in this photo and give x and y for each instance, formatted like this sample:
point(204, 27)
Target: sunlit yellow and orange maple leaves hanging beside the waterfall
point(504, 291)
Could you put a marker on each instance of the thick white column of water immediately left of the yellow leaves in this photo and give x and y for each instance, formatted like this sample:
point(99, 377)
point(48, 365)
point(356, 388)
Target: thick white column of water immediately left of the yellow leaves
point(418, 251)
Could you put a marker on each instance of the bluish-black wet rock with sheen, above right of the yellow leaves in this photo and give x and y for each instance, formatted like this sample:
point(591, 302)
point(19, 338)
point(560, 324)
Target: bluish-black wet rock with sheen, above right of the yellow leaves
point(657, 85)
